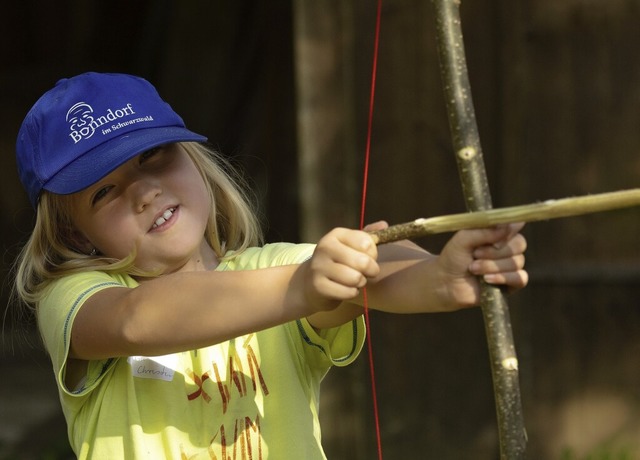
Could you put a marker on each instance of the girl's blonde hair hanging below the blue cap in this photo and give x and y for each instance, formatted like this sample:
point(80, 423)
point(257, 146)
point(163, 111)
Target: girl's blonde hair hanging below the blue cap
point(49, 253)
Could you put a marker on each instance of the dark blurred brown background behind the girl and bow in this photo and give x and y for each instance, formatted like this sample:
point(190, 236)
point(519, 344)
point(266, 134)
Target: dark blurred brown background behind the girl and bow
point(282, 87)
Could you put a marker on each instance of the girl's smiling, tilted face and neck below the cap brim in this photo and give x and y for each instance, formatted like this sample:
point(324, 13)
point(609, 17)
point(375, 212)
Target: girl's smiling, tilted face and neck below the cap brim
point(156, 203)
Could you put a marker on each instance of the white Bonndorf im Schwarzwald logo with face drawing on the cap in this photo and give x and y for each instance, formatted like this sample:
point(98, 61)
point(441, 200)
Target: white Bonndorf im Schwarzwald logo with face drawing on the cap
point(83, 124)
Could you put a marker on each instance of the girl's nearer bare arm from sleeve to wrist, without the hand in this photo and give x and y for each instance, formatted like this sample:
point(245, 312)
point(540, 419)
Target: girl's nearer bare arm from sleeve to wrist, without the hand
point(185, 311)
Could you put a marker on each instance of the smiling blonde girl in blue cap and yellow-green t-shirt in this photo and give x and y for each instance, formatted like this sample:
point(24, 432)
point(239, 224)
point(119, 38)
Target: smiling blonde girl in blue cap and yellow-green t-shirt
point(172, 331)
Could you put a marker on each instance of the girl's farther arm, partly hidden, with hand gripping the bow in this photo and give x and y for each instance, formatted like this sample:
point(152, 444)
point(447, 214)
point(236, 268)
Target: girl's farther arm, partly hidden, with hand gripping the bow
point(411, 280)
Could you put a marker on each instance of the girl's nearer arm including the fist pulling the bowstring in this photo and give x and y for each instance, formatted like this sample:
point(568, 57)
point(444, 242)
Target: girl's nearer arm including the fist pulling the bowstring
point(190, 310)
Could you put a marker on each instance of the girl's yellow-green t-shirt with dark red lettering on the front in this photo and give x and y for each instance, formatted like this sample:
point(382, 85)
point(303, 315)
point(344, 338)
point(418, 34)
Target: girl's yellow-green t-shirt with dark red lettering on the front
point(252, 397)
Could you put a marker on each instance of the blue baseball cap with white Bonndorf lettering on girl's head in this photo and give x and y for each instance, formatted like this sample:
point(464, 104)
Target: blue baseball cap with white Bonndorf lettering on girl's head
point(88, 125)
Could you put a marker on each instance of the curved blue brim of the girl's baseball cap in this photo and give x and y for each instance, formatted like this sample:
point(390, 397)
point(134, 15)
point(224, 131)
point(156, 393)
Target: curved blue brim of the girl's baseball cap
point(106, 157)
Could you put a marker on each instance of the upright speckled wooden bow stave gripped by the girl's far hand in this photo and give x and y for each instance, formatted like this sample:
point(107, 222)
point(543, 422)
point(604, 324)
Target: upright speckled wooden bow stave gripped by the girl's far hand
point(466, 143)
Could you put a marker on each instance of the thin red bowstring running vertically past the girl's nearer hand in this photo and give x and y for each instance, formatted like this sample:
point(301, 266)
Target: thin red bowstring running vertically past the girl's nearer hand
point(362, 220)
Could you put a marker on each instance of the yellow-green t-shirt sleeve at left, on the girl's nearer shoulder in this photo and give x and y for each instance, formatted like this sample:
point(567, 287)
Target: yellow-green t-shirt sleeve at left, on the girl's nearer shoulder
point(56, 313)
